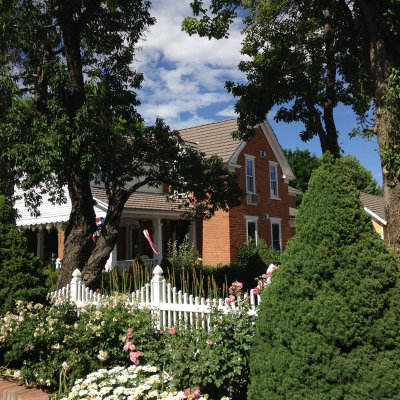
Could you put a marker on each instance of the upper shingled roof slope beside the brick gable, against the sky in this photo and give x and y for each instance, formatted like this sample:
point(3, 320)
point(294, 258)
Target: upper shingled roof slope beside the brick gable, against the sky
point(214, 139)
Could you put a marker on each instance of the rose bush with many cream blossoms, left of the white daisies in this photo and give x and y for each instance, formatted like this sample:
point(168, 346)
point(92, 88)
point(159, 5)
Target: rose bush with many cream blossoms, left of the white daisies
point(44, 341)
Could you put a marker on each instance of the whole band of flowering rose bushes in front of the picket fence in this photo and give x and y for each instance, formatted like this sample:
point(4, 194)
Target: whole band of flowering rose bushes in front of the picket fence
point(53, 346)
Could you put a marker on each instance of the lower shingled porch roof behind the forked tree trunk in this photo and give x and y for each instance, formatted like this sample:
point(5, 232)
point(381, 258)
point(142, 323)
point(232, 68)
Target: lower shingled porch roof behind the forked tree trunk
point(142, 201)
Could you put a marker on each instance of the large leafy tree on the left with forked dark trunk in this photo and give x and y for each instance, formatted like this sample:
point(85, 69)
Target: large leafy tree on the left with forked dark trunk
point(68, 95)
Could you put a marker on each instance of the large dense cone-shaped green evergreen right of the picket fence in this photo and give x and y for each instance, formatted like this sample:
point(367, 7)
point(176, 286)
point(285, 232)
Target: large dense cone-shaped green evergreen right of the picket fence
point(329, 323)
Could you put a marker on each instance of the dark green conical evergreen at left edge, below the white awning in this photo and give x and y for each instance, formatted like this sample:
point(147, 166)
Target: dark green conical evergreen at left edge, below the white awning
point(20, 270)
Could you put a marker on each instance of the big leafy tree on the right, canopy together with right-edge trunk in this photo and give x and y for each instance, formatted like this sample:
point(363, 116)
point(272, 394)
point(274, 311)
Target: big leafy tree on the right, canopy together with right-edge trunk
point(307, 57)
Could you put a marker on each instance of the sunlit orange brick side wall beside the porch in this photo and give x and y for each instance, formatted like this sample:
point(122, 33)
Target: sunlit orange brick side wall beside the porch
point(215, 239)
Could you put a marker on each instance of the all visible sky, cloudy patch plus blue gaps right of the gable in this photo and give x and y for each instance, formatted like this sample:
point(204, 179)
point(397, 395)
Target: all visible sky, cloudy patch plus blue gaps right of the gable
point(185, 77)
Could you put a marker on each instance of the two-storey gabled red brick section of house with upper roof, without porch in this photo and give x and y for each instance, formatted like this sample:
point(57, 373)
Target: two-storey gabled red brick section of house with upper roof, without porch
point(264, 176)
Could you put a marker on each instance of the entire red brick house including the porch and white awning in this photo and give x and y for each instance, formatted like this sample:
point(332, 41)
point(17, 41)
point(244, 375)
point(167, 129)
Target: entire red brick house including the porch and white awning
point(267, 210)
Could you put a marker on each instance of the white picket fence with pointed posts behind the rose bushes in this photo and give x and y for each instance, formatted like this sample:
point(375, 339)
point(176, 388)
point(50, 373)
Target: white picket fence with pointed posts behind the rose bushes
point(169, 304)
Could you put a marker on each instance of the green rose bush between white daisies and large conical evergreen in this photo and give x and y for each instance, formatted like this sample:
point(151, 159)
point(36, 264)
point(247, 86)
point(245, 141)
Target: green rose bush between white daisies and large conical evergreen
point(217, 361)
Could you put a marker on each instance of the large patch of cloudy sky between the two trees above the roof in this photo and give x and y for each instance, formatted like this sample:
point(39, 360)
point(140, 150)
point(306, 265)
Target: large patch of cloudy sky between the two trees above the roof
point(185, 75)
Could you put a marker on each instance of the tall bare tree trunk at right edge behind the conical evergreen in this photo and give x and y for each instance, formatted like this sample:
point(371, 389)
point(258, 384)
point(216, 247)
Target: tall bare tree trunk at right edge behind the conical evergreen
point(383, 126)
